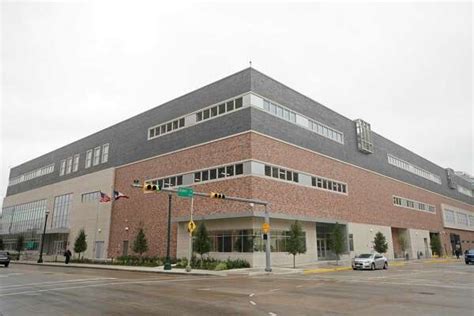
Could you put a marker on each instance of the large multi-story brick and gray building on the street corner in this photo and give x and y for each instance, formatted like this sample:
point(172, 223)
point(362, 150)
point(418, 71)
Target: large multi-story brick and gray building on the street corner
point(245, 135)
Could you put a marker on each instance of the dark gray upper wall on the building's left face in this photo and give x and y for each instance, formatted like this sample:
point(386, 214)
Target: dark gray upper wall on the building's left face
point(128, 139)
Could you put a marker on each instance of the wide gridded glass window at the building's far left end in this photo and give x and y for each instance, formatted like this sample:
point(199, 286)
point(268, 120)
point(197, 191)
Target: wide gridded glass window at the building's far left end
point(21, 218)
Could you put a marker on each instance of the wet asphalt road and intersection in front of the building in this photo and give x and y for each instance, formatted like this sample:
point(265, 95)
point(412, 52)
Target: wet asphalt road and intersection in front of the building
point(416, 289)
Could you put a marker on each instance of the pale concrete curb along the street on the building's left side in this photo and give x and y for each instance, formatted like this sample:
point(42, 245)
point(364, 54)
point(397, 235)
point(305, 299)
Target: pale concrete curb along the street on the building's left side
point(119, 268)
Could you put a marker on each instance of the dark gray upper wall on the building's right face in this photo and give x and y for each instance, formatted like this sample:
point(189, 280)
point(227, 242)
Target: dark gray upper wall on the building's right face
point(278, 128)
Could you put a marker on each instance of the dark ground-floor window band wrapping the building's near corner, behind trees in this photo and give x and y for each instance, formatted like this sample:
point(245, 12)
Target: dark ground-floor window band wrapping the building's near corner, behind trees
point(249, 241)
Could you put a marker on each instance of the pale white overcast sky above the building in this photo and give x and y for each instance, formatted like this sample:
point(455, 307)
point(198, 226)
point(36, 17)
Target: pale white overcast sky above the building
point(71, 69)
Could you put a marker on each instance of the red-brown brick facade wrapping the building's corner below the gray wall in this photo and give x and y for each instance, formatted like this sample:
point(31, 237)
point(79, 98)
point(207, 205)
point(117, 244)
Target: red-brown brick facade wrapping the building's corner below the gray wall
point(369, 199)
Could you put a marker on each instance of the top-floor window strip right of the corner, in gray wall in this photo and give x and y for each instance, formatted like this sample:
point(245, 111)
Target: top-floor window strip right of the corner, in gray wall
point(296, 118)
